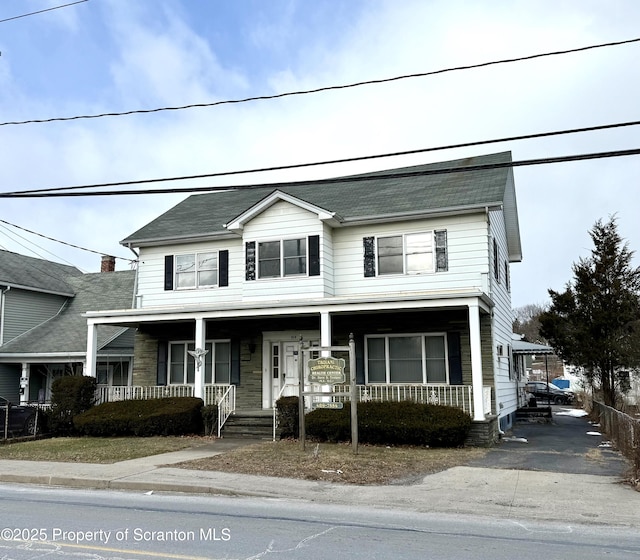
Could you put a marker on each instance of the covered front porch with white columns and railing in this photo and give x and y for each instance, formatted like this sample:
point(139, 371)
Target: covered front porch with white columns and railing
point(431, 351)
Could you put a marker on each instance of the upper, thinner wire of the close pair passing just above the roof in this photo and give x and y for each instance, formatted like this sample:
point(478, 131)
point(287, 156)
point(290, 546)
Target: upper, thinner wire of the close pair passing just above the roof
point(335, 161)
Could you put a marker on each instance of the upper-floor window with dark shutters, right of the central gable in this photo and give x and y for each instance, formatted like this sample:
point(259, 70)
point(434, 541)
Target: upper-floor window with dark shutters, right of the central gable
point(411, 253)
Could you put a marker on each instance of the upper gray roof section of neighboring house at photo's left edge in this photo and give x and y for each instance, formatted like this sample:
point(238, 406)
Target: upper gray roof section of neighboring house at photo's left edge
point(40, 275)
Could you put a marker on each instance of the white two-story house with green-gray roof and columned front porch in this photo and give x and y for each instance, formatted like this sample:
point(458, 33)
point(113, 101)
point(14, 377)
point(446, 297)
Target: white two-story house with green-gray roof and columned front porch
point(414, 262)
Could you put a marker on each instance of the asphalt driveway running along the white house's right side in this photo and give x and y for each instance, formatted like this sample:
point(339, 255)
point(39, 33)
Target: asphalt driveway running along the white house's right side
point(568, 445)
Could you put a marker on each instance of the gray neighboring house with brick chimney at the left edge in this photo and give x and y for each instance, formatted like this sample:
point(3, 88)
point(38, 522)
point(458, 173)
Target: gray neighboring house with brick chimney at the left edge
point(43, 333)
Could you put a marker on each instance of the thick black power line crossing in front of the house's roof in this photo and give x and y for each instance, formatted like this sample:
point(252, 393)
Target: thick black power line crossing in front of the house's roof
point(351, 179)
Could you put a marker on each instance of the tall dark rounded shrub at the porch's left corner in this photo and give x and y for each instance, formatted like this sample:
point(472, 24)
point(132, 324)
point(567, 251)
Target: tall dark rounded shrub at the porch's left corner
point(70, 395)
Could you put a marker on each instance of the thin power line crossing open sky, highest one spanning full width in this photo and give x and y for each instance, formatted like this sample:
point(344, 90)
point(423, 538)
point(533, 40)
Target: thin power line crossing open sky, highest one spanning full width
point(324, 88)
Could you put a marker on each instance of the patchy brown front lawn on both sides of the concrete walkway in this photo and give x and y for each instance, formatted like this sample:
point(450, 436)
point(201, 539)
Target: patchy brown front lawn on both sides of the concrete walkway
point(327, 462)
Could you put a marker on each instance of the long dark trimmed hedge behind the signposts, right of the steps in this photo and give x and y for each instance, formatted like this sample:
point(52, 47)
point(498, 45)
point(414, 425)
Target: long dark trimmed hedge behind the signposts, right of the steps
point(392, 423)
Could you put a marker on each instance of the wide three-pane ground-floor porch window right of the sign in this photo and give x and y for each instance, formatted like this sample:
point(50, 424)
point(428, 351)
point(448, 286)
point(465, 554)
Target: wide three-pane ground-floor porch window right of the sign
point(407, 358)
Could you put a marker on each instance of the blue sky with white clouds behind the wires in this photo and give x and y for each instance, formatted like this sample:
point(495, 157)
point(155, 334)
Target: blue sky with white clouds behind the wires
point(110, 56)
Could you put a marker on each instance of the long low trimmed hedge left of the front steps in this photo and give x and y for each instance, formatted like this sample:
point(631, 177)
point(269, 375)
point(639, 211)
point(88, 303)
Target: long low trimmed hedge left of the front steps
point(169, 416)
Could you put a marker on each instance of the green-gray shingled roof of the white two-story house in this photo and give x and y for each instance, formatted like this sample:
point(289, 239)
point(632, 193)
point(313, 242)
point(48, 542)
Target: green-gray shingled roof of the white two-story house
point(373, 195)
